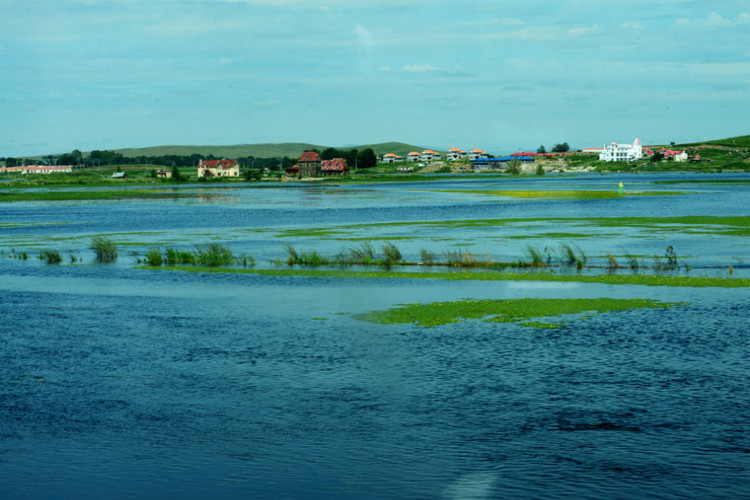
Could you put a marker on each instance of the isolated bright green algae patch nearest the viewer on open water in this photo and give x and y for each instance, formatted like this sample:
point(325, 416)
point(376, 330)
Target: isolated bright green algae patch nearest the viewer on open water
point(528, 312)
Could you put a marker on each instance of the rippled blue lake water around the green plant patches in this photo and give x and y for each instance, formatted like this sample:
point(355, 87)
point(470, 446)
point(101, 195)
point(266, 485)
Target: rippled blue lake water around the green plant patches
point(120, 382)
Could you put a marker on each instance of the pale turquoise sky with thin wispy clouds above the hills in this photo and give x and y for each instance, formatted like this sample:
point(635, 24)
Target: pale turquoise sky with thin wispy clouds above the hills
point(497, 75)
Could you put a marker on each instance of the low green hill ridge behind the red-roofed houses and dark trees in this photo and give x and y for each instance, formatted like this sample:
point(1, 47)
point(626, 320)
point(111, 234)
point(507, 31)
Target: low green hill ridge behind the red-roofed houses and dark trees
point(269, 150)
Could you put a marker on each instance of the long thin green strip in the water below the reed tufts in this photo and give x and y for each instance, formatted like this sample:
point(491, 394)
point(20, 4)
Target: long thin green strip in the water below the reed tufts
point(609, 279)
